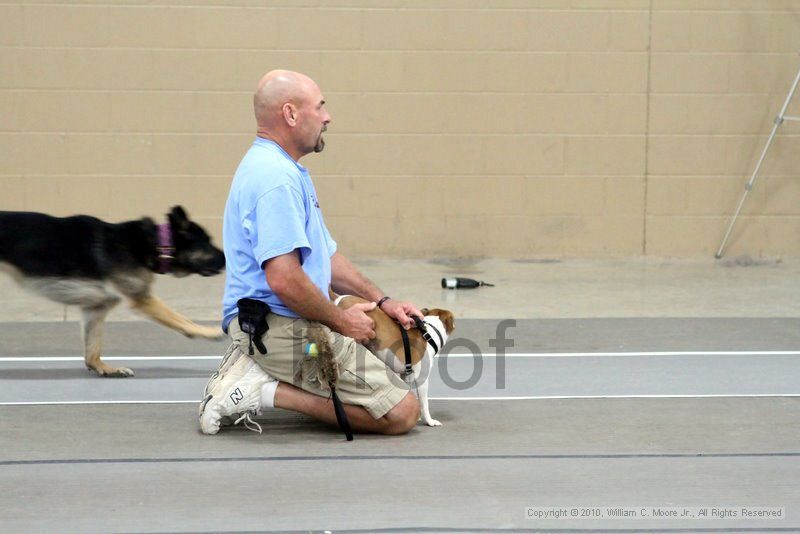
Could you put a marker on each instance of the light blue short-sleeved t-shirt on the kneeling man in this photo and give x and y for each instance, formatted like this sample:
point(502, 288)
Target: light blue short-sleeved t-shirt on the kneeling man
point(272, 209)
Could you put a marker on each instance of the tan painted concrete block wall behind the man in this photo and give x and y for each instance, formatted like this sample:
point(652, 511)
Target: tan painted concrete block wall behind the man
point(517, 128)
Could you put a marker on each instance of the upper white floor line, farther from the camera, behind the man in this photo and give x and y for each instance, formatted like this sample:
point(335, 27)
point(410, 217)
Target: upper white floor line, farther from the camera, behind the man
point(18, 359)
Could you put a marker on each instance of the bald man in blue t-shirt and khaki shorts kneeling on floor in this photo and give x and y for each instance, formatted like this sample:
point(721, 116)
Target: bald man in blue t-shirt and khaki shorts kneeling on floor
point(279, 251)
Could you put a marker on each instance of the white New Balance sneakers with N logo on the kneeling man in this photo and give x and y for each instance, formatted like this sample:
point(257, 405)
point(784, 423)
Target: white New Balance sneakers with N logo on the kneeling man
point(235, 391)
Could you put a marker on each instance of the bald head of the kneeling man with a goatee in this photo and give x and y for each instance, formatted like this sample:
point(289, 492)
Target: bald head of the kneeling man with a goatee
point(290, 110)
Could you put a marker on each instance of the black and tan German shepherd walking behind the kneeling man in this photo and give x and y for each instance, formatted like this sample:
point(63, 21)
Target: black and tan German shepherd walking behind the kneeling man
point(83, 261)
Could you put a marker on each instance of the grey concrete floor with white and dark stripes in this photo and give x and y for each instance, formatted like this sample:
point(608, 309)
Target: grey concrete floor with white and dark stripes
point(642, 384)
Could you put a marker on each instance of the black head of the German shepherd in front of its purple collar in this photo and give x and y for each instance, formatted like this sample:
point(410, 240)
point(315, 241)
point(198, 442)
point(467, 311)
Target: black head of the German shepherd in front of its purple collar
point(194, 253)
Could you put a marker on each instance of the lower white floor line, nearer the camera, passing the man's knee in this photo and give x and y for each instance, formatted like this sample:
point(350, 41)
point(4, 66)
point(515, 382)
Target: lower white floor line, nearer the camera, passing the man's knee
point(542, 397)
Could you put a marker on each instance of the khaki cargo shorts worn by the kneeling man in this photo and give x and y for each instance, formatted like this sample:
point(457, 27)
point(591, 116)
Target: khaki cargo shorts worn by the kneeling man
point(364, 380)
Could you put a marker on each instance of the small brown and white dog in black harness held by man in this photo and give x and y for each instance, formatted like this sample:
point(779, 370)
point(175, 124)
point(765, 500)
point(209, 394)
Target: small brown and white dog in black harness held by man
point(388, 344)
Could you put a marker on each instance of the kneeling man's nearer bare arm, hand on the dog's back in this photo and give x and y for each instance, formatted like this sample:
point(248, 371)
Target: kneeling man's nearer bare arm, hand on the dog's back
point(287, 279)
